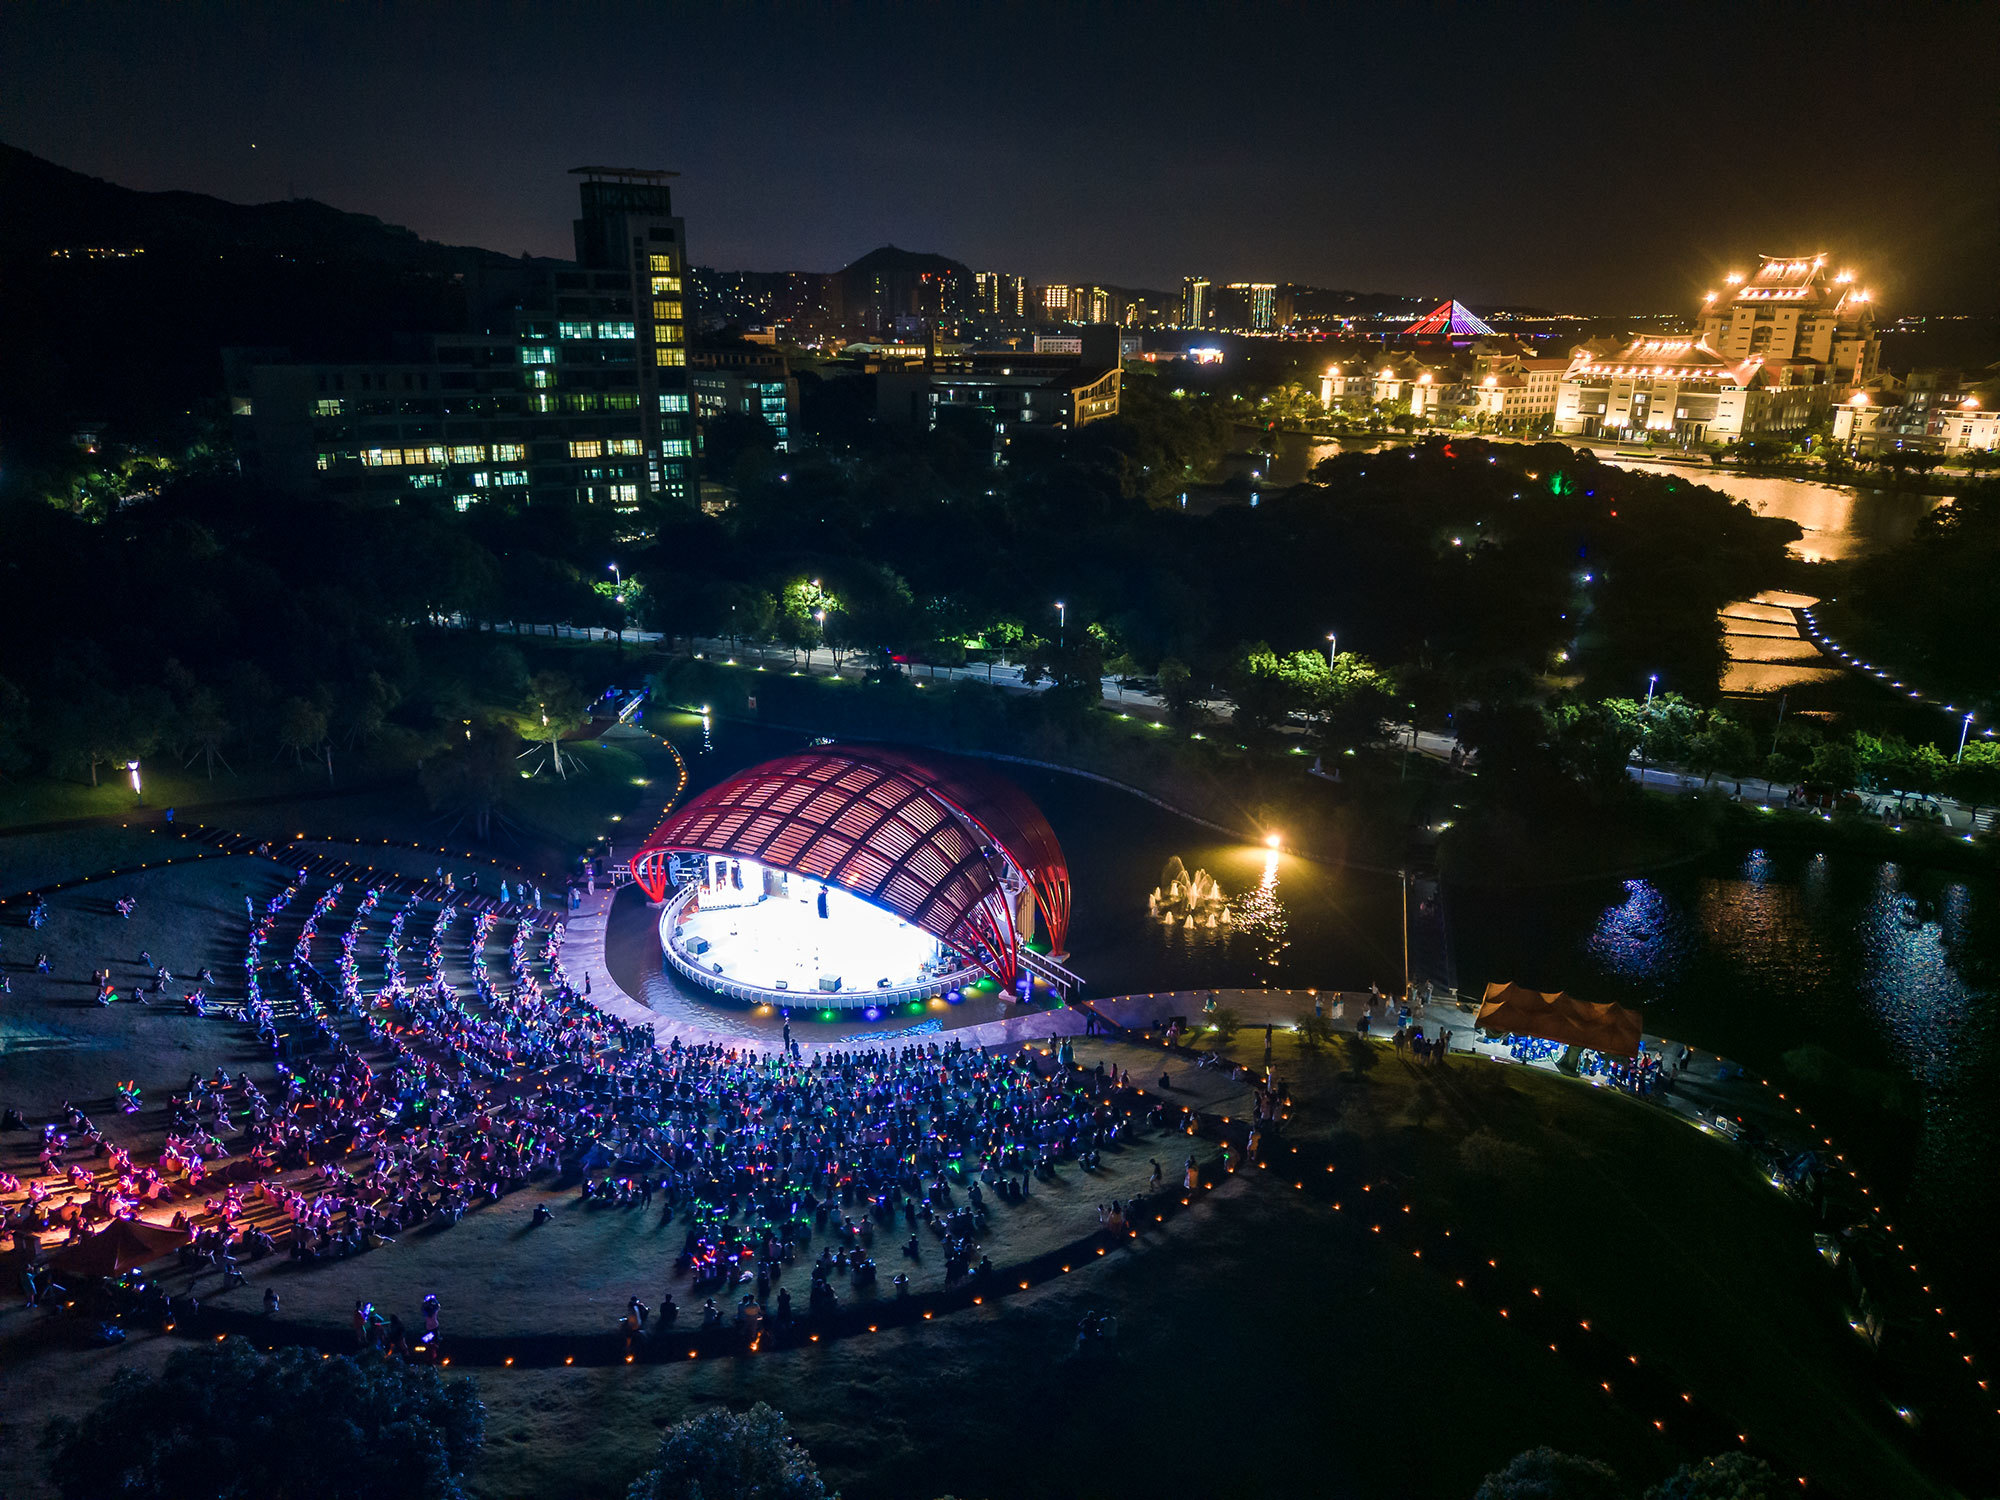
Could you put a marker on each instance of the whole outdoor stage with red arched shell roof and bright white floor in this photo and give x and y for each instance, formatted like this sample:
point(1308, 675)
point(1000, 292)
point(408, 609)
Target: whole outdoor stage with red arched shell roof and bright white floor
point(853, 879)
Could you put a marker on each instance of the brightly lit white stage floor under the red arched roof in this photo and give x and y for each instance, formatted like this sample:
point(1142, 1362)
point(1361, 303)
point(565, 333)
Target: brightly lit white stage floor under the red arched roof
point(785, 943)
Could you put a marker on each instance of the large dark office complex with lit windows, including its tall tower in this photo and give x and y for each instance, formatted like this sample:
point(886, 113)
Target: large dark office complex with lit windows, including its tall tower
point(569, 389)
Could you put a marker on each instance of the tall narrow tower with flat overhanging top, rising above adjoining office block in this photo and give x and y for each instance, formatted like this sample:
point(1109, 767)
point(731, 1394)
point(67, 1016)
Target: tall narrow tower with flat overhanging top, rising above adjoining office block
point(629, 227)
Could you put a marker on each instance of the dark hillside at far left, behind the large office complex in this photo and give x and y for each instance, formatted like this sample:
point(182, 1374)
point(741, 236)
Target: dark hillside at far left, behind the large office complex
point(135, 341)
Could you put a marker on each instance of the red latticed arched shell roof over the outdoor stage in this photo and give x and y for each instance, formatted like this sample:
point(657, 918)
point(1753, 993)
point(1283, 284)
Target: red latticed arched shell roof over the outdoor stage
point(927, 837)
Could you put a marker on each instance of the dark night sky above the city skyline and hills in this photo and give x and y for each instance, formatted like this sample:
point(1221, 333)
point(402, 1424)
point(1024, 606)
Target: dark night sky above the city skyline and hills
point(1585, 157)
